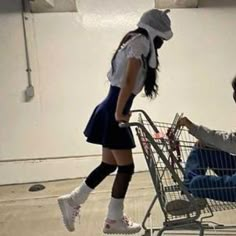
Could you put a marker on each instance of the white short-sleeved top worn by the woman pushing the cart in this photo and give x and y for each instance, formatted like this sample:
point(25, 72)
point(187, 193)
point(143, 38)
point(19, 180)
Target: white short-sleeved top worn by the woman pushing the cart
point(137, 47)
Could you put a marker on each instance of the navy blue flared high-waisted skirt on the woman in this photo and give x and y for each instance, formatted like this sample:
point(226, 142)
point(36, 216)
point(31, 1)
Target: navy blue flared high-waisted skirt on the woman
point(102, 127)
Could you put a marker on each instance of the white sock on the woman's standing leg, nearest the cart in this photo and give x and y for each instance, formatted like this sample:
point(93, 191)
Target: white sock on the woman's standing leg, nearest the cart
point(115, 209)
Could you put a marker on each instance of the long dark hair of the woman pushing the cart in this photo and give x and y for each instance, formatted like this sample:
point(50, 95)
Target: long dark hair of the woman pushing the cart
point(150, 85)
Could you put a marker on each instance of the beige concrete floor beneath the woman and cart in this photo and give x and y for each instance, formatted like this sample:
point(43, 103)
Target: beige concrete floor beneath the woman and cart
point(24, 213)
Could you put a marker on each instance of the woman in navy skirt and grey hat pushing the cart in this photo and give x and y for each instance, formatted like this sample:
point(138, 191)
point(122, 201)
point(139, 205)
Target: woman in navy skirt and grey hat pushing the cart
point(133, 67)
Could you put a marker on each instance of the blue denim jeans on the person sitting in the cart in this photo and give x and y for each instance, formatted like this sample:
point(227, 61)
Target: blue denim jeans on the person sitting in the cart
point(221, 186)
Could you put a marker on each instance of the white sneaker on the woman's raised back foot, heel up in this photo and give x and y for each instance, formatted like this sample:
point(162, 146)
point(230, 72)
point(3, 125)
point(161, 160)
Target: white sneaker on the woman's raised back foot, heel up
point(69, 212)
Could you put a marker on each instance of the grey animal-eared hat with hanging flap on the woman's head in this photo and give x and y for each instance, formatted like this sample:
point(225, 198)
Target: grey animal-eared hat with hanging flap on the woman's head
point(156, 23)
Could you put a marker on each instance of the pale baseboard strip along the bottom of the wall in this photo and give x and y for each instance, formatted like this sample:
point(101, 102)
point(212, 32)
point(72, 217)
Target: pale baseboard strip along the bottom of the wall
point(32, 171)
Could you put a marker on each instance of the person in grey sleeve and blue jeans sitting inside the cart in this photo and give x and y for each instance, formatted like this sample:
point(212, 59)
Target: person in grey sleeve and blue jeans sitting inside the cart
point(216, 150)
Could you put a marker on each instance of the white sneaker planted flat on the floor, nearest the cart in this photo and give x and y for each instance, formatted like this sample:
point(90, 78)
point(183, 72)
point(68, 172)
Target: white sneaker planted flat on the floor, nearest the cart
point(122, 226)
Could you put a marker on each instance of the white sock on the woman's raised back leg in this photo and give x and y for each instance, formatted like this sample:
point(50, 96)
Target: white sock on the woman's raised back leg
point(80, 194)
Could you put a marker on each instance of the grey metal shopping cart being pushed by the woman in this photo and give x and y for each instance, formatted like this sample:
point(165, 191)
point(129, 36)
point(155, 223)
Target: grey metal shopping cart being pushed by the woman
point(166, 149)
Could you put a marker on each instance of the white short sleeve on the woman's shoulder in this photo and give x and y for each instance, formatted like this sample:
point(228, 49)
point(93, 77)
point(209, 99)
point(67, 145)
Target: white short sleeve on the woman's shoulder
point(137, 46)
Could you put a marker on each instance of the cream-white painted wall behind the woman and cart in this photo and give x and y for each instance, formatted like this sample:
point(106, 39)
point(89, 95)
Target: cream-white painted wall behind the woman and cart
point(70, 55)
